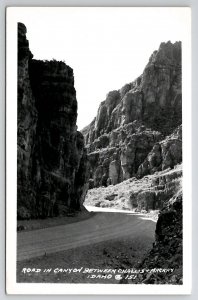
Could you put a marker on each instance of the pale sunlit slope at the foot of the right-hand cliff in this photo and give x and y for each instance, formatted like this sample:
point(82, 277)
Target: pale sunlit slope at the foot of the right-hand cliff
point(139, 195)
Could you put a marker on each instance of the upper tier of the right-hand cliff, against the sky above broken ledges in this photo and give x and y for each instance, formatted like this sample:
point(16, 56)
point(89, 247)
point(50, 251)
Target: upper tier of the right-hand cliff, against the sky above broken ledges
point(154, 97)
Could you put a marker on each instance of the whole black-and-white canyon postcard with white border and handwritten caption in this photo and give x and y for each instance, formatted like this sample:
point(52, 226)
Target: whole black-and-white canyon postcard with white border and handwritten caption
point(98, 150)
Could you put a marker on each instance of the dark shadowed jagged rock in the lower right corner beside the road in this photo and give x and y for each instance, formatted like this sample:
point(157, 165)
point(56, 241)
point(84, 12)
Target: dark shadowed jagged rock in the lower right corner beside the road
point(167, 251)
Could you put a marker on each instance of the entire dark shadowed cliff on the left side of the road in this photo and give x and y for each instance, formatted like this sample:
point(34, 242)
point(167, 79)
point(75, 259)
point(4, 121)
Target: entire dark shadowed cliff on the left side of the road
point(52, 160)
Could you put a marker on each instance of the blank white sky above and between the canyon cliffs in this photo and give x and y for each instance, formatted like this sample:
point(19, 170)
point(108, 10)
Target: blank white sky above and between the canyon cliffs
point(106, 47)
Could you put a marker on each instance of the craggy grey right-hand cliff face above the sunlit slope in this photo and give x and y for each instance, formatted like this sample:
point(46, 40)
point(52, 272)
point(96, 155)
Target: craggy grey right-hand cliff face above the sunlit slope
point(132, 134)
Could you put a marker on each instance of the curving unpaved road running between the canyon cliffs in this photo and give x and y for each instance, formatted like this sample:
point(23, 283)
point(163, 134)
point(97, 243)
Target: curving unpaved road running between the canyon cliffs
point(101, 227)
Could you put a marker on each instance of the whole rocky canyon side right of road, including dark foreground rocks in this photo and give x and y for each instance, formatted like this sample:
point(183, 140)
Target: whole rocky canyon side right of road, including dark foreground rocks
point(135, 154)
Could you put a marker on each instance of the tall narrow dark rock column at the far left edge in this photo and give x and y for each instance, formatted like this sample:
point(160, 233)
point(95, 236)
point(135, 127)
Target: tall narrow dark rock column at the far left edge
point(27, 123)
